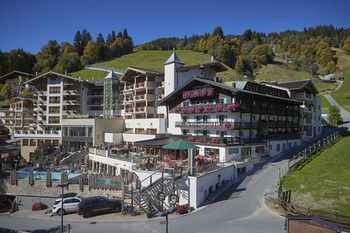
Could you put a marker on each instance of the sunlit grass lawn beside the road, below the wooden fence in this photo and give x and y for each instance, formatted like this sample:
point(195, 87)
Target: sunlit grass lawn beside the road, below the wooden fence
point(323, 183)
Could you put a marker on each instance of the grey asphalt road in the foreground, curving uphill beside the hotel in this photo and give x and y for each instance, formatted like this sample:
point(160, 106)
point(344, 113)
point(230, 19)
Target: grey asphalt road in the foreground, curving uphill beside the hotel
point(240, 209)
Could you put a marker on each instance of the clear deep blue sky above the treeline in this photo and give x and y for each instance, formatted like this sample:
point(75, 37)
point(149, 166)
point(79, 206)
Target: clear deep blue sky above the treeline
point(29, 24)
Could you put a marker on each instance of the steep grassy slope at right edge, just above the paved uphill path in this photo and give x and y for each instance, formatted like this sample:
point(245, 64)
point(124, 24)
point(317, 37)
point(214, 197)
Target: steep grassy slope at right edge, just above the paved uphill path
point(342, 96)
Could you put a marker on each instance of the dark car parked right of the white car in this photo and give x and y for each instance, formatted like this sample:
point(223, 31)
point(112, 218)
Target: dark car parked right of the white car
point(98, 205)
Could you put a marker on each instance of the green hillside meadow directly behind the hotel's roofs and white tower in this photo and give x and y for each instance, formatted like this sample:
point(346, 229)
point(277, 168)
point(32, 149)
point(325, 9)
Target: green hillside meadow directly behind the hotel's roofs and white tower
point(153, 60)
